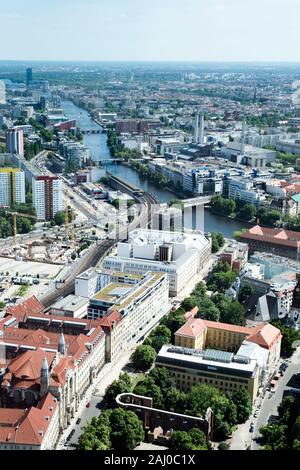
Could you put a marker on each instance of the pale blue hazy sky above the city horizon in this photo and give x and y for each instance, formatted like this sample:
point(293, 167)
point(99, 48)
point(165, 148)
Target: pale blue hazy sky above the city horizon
point(150, 30)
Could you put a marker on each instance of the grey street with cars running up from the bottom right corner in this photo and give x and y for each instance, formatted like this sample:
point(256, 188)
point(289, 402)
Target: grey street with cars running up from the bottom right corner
point(242, 438)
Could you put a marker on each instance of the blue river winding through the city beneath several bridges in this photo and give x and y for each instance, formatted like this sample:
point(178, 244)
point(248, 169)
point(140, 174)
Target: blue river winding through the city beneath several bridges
point(100, 151)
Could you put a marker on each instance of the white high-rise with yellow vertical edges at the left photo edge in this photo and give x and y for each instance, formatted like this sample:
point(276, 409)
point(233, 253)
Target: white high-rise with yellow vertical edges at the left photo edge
point(12, 187)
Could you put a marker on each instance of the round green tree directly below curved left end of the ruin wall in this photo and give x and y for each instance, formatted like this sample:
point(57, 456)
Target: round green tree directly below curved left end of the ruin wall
point(126, 430)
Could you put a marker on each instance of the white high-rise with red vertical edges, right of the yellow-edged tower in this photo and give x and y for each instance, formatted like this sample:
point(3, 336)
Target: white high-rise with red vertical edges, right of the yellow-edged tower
point(47, 196)
